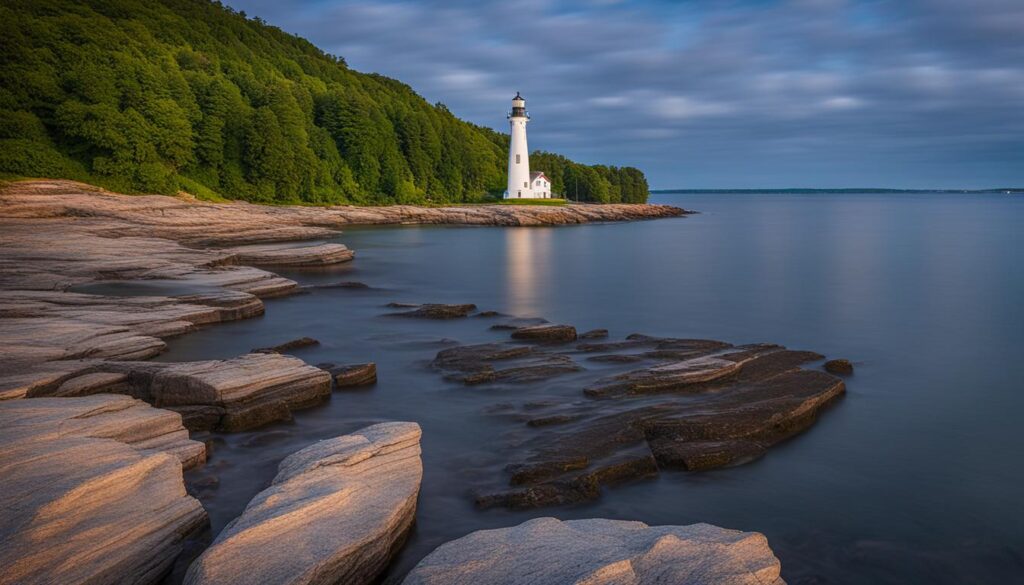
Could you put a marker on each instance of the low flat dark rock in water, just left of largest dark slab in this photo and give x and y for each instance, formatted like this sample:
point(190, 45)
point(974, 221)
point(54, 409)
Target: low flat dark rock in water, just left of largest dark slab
point(475, 364)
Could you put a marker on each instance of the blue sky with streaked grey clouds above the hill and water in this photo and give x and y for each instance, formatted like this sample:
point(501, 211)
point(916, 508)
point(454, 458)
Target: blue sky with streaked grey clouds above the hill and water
point(714, 95)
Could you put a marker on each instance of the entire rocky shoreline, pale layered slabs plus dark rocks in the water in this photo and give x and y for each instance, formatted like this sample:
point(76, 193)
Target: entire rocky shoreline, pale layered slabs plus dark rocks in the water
point(94, 438)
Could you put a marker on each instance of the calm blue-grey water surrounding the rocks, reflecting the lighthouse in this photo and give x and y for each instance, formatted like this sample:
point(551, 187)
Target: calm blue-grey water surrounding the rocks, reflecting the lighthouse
point(914, 478)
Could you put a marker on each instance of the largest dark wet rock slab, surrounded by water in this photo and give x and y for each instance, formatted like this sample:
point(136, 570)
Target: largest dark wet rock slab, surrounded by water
point(718, 406)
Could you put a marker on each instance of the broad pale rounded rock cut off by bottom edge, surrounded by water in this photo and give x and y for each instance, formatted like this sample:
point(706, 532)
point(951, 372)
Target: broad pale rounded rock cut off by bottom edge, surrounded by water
point(602, 553)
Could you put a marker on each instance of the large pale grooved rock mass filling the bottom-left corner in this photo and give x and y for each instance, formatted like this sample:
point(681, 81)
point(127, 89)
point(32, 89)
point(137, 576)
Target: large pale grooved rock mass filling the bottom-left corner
point(93, 491)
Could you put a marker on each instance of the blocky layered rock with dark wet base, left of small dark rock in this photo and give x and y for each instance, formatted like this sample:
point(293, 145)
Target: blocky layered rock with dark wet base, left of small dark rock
point(231, 395)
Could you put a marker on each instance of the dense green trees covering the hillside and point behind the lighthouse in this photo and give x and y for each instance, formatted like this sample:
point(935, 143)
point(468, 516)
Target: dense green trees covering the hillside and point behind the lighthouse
point(161, 96)
